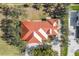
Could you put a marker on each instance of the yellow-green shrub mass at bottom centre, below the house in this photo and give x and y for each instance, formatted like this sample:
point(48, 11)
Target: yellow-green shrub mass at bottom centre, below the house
point(44, 50)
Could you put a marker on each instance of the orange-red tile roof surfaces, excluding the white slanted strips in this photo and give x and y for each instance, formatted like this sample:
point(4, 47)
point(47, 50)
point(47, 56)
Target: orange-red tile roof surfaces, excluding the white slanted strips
point(28, 27)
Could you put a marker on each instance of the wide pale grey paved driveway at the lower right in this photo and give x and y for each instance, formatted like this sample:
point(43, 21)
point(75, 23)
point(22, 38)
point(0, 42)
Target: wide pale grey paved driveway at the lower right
point(73, 46)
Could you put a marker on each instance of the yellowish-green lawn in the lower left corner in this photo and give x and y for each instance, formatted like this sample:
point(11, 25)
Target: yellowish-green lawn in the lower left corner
point(8, 50)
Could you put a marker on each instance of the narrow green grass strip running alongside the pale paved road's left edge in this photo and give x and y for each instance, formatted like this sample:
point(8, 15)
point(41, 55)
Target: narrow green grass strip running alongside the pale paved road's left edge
point(64, 49)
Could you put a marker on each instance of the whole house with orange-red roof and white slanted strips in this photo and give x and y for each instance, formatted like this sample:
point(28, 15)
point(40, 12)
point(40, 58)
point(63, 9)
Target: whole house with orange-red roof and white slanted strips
point(35, 32)
